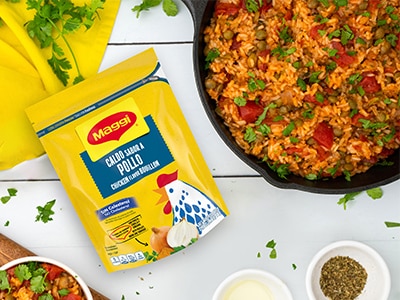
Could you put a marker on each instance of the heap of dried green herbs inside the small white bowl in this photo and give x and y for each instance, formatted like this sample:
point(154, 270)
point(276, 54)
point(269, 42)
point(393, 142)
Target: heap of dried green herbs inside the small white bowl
point(342, 278)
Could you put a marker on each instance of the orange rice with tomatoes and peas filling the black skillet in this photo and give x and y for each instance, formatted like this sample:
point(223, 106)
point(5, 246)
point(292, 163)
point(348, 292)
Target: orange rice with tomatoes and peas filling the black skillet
point(310, 87)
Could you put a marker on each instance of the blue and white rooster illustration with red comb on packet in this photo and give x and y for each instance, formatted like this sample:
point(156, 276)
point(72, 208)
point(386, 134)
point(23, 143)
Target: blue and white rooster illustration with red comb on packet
point(187, 202)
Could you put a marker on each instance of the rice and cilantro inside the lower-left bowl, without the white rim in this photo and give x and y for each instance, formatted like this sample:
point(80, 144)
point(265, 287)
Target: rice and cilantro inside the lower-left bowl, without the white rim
point(39, 281)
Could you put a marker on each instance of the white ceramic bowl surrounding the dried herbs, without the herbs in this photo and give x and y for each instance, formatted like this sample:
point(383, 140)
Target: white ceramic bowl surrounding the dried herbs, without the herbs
point(378, 282)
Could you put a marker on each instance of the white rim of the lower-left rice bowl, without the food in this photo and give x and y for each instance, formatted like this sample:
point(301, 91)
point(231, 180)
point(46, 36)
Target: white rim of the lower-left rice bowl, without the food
point(27, 259)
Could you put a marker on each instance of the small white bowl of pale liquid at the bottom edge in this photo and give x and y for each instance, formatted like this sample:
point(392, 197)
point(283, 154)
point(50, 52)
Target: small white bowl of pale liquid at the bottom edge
point(262, 280)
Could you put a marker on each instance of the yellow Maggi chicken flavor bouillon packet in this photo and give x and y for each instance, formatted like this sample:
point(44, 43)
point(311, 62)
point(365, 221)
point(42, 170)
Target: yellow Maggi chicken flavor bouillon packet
point(129, 163)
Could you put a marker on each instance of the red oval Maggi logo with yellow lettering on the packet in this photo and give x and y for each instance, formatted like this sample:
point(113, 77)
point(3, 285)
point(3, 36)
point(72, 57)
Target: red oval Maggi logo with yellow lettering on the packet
point(111, 128)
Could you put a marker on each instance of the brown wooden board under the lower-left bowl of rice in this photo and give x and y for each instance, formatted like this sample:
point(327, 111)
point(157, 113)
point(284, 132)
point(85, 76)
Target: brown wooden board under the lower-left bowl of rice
point(10, 250)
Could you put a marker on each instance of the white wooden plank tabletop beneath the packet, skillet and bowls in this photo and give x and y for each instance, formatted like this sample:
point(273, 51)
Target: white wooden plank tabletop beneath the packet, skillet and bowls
point(300, 223)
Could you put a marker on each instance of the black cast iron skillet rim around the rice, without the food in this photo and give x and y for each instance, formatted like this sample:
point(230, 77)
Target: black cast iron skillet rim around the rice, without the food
point(201, 11)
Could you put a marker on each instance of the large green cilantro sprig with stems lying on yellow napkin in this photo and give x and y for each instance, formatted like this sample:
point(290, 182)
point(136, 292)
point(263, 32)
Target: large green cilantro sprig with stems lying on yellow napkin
point(55, 20)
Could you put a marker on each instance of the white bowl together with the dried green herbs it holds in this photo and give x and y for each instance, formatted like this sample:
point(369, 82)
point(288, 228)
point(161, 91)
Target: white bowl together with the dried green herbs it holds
point(348, 270)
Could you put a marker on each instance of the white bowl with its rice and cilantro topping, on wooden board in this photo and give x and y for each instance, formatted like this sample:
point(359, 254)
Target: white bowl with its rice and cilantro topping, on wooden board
point(34, 276)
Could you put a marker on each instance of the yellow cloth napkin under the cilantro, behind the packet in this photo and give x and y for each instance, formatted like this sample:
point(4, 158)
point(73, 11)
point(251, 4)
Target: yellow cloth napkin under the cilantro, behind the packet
point(26, 77)
